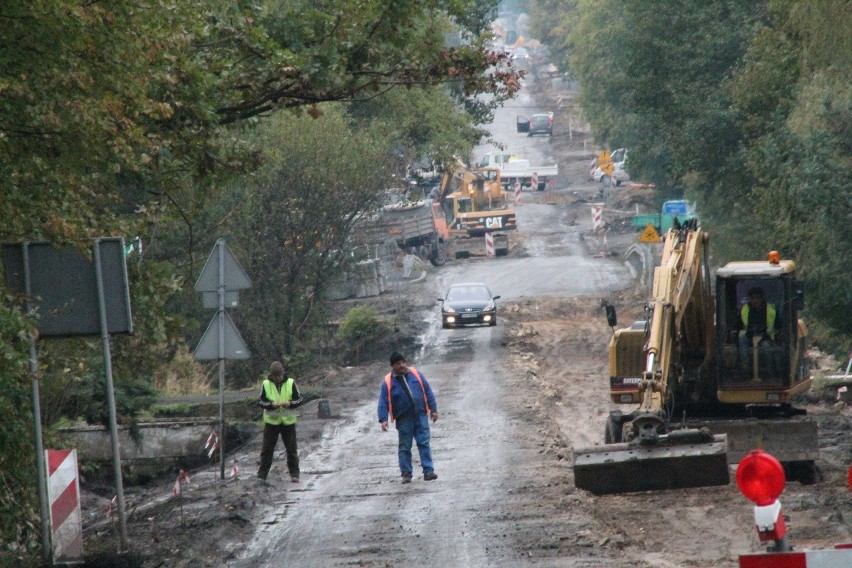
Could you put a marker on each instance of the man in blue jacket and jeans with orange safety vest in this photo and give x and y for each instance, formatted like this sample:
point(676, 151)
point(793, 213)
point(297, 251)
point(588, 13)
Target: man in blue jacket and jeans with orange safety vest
point(406, 397)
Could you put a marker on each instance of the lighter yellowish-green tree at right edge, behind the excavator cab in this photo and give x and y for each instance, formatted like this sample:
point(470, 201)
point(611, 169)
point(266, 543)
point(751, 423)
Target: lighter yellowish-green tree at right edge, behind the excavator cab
point(795, 93)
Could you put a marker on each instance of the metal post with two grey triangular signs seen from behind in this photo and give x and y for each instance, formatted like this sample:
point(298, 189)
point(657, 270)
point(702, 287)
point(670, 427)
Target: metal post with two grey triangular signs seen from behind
point(222, 275)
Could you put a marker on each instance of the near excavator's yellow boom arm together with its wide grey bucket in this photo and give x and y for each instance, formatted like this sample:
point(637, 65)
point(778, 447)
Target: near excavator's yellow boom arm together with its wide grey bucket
point(653, 455)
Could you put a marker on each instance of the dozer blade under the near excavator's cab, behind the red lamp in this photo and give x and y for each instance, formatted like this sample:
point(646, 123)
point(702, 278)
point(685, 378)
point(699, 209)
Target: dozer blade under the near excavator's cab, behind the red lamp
point(793, 439)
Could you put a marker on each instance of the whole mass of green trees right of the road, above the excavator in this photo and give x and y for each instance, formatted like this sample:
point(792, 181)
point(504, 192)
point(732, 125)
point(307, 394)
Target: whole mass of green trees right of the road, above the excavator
point(746, 106)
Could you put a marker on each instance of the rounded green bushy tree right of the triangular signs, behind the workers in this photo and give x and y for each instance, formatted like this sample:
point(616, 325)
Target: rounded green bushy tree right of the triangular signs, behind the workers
point(293, 225)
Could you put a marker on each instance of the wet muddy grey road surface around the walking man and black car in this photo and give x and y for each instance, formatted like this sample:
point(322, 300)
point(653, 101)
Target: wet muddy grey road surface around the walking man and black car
point(353, 507)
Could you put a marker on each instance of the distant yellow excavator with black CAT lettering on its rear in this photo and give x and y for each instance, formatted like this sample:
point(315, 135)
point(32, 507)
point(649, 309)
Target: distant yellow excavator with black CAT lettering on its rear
point(475, 204)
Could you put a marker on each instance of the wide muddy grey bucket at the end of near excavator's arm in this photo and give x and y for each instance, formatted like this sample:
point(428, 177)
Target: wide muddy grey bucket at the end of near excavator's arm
point(628, 468)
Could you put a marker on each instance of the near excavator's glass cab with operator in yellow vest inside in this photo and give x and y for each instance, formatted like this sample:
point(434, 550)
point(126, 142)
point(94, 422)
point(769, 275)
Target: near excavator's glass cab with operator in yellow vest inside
point(759, 336)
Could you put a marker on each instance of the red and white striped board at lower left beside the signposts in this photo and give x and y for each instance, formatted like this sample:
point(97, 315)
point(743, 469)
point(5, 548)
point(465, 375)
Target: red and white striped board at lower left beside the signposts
point(63, 489)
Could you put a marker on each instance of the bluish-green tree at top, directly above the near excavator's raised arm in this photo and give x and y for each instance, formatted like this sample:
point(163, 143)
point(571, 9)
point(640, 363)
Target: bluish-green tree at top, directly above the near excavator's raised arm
point(656, 78)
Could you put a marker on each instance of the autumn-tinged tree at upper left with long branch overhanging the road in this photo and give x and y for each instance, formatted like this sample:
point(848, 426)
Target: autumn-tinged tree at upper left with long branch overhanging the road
point(125, 118)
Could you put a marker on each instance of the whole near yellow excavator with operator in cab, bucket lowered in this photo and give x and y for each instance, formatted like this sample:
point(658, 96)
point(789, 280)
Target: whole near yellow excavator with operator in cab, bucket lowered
point(709, 388)
